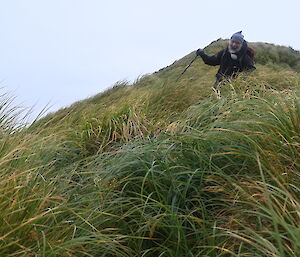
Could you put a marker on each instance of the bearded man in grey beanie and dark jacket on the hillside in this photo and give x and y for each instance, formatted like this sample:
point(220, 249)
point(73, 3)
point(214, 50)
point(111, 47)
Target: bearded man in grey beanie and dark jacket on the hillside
point(234, 59)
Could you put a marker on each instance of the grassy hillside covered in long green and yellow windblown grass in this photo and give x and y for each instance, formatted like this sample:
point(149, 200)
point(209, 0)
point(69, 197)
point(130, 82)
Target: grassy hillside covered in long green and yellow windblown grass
point(160, 168)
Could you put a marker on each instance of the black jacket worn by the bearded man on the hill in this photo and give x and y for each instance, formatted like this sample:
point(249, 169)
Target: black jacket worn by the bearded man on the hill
point(228, 66)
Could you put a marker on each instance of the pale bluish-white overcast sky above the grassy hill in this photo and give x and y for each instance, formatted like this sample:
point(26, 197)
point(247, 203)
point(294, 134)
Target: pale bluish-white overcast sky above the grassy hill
point(61, 51)
